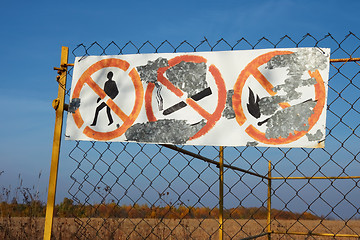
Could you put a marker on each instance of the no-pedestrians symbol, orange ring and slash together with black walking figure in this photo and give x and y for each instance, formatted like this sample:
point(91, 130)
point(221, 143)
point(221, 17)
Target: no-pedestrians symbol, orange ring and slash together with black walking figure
point(107, 96)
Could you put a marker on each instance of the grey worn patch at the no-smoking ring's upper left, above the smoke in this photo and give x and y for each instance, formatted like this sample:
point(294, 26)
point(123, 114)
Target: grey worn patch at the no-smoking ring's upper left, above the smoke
point(148, 72)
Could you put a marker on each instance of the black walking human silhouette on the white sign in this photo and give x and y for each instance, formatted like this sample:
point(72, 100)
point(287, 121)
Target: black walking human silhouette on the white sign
point(112, 91)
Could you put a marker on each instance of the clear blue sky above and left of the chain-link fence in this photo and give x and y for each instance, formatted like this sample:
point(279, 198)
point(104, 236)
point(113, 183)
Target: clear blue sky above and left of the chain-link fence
point(32, 33)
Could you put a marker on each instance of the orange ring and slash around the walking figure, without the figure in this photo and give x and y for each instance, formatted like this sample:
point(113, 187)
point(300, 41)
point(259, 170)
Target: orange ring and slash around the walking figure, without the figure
point(128, 120)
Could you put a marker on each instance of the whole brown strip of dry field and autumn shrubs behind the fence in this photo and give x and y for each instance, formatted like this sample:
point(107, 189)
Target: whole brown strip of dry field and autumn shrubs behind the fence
point(111, 221)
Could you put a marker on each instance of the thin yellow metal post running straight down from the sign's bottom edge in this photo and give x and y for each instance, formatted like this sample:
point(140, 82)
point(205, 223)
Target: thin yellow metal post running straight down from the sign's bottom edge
point(221, 193)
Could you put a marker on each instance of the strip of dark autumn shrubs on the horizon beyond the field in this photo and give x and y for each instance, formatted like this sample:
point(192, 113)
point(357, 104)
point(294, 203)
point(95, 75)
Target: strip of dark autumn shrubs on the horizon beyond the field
point(67, 208)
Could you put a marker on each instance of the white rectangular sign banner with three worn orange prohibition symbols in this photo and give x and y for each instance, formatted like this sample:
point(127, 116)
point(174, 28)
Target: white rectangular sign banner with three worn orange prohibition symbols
point(270, 97)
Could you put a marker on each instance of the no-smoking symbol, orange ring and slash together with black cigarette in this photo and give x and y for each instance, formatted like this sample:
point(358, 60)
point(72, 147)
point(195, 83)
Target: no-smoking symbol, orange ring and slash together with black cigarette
point(191, 101)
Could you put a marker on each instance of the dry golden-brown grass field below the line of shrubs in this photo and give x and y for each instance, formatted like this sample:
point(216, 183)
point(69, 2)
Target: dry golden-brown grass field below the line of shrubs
point(97, 228)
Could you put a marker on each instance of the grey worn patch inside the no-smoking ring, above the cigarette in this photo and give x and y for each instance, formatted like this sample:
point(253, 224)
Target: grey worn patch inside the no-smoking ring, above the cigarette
point(188, 76)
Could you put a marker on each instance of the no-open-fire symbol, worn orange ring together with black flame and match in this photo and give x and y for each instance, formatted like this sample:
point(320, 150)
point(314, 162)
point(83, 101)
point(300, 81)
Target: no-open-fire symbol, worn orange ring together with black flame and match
point(252, 69)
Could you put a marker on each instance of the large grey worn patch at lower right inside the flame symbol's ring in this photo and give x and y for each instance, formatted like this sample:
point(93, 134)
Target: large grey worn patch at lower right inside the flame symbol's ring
point(286, 121)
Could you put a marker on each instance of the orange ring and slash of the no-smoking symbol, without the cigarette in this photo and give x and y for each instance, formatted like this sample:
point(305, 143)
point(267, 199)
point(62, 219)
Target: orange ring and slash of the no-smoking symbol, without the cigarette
point(211, 118)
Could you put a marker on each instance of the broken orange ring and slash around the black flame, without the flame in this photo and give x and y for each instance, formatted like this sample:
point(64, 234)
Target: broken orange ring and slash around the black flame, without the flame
point(252, 69)
